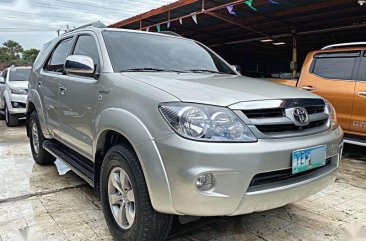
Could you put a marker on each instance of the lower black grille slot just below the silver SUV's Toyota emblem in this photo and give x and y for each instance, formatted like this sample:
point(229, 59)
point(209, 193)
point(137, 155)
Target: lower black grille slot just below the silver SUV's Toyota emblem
point(268, 129)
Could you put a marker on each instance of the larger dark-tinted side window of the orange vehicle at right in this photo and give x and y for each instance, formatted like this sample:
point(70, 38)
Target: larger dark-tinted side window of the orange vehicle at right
point(335, 65)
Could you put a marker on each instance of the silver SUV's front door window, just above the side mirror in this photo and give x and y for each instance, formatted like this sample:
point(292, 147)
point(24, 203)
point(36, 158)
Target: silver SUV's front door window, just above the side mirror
point(87, 46)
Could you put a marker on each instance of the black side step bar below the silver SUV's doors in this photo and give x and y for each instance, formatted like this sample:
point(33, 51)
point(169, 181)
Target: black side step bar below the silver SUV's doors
point(80, 165)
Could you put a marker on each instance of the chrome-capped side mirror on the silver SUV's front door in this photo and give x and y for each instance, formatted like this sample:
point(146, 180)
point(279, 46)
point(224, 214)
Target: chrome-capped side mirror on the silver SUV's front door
point(79, 65)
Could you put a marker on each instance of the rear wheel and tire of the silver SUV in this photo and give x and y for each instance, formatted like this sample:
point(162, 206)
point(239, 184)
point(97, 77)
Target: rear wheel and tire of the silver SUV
point(40, 155)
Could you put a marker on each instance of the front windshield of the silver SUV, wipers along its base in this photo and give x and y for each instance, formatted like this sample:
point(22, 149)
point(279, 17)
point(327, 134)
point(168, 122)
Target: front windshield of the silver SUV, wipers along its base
point(148, 52)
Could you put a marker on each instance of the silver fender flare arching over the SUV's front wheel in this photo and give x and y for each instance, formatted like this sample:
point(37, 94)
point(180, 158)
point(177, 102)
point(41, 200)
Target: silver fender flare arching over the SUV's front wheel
point(134, 130)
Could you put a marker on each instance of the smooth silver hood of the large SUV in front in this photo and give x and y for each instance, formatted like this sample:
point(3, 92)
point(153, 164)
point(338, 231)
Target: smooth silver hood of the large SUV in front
point(217, 89)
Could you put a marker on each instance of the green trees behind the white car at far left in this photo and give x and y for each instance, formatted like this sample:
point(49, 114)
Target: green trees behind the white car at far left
point(11, 52)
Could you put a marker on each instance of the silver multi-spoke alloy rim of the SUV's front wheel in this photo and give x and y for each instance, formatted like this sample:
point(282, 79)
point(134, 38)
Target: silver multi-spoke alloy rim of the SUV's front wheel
point(121, 198)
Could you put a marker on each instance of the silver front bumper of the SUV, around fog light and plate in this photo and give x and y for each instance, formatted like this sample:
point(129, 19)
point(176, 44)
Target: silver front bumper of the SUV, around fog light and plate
point(234, 166)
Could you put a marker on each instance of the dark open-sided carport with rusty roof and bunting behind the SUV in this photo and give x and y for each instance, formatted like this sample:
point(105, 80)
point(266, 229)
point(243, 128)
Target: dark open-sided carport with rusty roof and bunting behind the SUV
point(272, 38)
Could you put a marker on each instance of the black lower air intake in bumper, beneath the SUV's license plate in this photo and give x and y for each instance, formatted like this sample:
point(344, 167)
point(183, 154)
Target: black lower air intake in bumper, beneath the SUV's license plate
point(275, 176)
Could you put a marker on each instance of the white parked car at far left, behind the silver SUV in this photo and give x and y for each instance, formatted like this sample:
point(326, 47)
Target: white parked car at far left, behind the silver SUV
point(13, 94)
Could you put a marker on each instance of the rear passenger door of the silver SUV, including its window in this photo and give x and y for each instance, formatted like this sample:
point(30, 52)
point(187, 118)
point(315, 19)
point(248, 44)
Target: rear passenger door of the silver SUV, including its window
point(48, 84)
